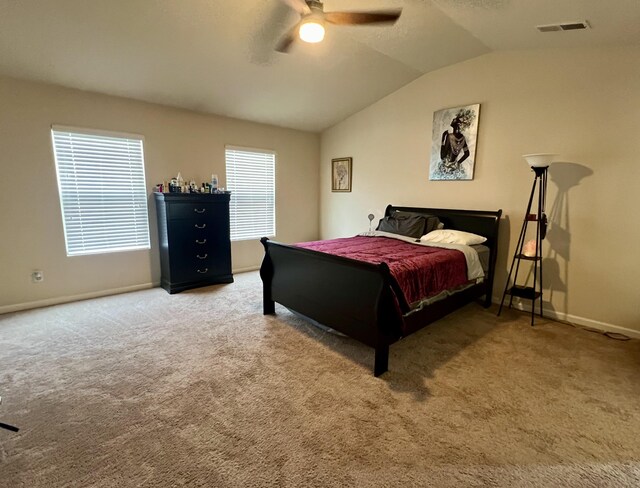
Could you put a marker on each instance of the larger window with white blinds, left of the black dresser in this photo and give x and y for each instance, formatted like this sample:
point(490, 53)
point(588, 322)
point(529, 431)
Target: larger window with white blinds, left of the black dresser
point(102, 191)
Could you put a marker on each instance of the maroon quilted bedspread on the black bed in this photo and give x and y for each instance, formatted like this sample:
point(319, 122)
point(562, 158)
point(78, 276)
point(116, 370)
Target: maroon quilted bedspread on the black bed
point(420, 271)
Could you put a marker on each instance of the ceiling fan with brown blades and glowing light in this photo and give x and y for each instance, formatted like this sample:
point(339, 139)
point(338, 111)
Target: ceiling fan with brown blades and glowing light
point(310, 28)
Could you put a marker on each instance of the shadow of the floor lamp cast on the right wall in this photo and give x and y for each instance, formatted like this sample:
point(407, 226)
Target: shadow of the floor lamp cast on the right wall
point(556, 264)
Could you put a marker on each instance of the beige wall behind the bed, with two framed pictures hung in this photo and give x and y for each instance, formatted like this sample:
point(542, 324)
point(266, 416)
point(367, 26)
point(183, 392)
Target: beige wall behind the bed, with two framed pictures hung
point(581, 104)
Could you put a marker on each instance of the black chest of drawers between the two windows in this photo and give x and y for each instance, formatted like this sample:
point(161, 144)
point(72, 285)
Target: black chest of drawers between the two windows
point(195, 248)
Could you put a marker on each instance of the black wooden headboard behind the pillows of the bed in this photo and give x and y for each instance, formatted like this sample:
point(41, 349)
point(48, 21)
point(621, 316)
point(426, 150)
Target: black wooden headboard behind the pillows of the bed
point(481, 222)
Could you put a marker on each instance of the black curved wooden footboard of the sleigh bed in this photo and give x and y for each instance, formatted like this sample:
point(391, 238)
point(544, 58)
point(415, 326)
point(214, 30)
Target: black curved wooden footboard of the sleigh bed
point(362, 302)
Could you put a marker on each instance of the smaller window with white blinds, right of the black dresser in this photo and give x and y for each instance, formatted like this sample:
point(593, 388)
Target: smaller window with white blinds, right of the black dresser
point(251, 180)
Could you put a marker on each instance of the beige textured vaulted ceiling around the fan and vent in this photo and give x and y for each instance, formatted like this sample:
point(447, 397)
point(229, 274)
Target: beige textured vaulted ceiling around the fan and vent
point(217, 56)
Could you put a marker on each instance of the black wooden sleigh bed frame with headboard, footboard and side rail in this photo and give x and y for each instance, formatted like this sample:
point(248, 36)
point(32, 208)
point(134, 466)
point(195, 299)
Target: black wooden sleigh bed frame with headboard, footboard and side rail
point(357, 298)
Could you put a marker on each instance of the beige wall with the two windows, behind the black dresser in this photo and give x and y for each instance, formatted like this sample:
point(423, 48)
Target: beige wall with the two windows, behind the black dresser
point(175, 140)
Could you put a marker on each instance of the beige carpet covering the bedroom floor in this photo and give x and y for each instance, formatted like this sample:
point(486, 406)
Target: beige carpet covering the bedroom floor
point(200, 389)
